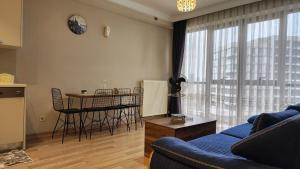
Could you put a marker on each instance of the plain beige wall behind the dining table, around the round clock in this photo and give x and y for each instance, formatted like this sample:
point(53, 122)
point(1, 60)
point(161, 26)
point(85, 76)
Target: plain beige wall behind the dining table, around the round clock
point(52, 56)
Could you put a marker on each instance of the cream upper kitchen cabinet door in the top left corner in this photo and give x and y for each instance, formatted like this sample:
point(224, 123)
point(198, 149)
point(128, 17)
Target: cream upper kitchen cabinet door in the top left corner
point(11, 23)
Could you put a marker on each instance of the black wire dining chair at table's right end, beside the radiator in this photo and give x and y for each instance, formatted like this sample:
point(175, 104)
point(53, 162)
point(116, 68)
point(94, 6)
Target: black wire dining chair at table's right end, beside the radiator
point(137, 103)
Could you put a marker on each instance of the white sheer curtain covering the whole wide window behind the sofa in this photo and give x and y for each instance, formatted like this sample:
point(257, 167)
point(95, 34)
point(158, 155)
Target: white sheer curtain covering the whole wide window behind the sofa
point(242, 61)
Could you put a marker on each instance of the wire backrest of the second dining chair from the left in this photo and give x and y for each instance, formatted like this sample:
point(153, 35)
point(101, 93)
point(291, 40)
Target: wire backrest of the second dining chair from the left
point(105, 101)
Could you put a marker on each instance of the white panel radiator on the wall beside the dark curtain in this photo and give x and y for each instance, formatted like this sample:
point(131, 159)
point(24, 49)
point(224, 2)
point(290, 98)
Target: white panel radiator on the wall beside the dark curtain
point(155, 98)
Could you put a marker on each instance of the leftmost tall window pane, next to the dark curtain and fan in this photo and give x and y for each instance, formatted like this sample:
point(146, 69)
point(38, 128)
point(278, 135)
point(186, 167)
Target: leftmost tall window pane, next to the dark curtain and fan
point(194, 70)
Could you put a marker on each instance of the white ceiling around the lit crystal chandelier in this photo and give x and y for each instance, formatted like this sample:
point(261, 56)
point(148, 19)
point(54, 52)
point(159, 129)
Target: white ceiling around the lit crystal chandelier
point(164, 10)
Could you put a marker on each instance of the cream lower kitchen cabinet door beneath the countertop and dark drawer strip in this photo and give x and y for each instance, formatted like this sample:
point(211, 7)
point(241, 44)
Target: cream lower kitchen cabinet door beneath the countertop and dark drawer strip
point(11, 120)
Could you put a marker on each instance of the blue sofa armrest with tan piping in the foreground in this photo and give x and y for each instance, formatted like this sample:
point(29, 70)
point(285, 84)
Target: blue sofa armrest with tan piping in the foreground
point(189, 155)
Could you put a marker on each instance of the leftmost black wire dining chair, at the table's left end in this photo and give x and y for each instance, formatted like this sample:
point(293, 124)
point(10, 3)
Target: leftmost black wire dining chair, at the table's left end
point(58, 105)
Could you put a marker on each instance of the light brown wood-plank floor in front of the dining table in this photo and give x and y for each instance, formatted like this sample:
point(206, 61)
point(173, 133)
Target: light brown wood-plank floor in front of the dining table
point(124, 150)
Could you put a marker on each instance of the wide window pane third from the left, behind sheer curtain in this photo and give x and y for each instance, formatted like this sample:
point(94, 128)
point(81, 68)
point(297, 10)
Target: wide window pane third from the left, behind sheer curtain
point(260, 84)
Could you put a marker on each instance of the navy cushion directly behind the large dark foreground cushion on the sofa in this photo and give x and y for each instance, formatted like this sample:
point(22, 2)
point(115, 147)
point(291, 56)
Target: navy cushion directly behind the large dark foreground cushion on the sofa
point(268, 119)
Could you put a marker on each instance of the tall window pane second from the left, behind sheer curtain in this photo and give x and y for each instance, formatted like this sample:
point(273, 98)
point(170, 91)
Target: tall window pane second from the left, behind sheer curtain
point(223, 105)
